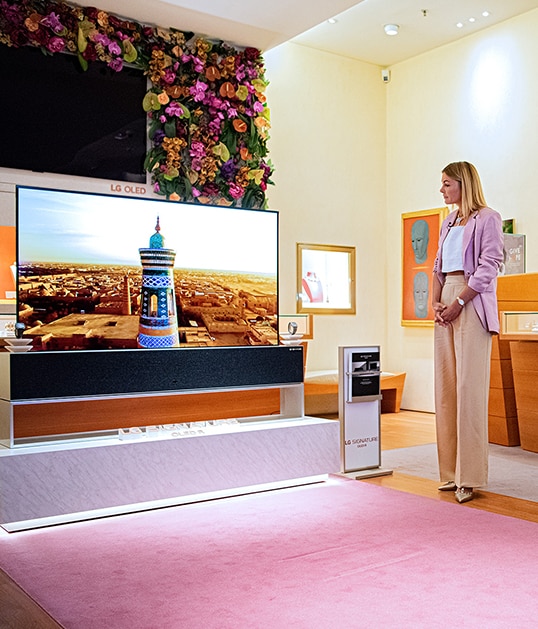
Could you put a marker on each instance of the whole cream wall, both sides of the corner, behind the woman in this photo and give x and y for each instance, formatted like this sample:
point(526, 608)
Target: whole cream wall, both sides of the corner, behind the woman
point(353, 154)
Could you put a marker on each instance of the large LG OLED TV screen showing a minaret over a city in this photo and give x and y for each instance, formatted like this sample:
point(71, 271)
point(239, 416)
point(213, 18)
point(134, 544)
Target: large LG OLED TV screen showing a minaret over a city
point(101, 272)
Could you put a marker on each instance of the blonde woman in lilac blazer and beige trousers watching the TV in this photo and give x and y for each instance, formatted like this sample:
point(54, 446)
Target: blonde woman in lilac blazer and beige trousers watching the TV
point(464, 302)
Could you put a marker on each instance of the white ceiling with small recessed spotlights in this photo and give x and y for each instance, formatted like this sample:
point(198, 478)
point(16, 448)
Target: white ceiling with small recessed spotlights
point(357, 33)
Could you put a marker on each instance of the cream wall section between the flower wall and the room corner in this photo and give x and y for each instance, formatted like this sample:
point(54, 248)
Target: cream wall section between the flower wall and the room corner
point(328, 147)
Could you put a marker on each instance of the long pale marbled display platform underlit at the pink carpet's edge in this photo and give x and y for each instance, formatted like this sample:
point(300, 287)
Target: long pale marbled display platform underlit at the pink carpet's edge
point(67, 482)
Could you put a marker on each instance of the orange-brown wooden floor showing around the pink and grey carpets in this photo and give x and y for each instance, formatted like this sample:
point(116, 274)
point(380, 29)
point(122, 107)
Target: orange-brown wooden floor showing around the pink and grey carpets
point(398, 430)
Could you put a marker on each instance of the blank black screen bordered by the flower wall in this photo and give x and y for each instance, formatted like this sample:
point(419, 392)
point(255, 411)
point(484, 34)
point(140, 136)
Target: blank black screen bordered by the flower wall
point(72, 122)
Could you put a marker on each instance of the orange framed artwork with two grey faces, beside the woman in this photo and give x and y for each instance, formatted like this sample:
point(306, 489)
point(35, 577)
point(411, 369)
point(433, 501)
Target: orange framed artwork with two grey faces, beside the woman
point(420, 236)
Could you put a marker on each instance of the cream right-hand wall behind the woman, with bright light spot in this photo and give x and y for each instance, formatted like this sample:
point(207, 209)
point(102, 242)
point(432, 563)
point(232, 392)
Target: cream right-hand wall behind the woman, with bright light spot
point(474, 100)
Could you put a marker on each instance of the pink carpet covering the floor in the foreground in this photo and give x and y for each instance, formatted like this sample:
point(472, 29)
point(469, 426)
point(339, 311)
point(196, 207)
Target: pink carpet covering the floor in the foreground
point(337, 555)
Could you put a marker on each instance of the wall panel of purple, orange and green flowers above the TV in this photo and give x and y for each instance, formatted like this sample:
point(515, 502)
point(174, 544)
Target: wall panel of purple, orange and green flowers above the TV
point(208, 116)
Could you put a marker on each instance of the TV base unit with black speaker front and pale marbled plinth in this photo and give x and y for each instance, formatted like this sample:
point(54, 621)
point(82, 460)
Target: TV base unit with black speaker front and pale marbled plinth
point(76, 476)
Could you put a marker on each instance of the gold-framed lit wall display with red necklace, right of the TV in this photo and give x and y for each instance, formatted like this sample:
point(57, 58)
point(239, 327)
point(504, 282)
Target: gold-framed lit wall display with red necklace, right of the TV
point(325, 279)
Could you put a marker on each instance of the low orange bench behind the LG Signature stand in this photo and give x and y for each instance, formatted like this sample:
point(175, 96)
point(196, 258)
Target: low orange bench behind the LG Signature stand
point(321, 392)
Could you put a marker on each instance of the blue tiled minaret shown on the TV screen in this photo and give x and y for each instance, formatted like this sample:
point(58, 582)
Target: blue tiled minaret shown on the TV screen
point(158, 318)
